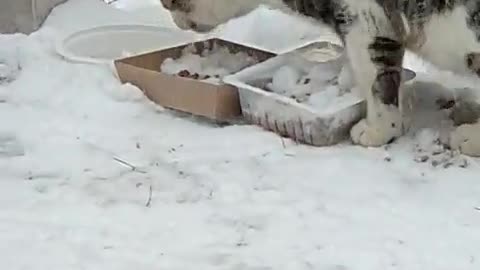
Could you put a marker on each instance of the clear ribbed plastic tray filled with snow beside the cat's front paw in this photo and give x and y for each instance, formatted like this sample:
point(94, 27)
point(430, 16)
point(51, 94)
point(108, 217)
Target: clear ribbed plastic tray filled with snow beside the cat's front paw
point(324, 116)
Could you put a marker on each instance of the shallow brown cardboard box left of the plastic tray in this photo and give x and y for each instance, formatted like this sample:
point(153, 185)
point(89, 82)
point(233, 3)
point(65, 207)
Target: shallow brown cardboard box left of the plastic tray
point(215, 101)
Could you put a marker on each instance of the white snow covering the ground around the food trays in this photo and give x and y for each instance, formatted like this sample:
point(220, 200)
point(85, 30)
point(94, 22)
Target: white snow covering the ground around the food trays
point(231, 198)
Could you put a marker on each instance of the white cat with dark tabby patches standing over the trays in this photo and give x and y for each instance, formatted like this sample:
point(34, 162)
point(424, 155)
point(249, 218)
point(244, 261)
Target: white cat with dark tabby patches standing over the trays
point(375, 34)
